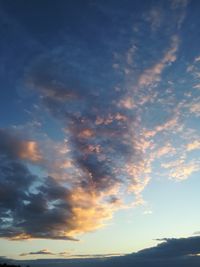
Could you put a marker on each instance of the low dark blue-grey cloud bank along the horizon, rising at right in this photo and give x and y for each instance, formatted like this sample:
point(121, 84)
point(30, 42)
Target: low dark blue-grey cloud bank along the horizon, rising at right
point(174, 252)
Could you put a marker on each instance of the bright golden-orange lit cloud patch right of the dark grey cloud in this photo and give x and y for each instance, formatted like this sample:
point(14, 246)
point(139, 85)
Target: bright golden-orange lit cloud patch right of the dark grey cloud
point(90, 211)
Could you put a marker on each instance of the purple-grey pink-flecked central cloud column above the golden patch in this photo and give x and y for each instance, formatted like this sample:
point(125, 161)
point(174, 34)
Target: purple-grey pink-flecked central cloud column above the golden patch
point(97, 125)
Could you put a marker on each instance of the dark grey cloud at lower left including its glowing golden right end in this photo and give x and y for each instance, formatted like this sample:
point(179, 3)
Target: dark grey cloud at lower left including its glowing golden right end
point(33, 206)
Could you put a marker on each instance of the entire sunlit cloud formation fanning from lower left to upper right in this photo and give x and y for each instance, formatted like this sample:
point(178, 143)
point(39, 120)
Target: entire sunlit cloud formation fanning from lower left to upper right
point(118, 113)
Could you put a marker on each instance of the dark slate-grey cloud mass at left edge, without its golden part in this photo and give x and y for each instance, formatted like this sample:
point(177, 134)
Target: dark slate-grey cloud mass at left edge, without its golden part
point(30, 206)
